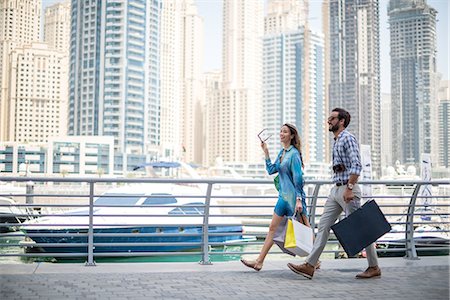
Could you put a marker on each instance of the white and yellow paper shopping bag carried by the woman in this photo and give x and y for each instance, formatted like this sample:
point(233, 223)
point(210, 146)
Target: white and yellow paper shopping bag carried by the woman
point(299, 238)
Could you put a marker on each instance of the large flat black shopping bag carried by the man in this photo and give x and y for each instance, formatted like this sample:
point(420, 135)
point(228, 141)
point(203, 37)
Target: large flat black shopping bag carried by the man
point(361, 228)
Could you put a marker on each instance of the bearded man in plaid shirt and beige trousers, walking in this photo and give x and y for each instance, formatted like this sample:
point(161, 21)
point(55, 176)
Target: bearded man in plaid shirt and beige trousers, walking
point(344, 196)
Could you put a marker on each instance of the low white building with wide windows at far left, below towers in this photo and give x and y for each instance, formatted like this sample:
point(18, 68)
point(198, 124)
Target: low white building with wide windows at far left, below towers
point(74, 155)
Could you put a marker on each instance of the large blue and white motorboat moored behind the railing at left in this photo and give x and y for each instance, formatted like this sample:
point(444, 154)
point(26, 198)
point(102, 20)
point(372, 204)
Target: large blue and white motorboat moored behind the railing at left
point(156, 214)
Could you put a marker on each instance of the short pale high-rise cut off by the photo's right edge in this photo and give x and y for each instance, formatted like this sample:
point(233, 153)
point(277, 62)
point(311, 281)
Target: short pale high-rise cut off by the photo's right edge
point(444, 124)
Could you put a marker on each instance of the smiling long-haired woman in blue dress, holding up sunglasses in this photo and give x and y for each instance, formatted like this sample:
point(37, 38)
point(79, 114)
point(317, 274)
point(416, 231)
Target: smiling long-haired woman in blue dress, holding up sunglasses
point(291, 196)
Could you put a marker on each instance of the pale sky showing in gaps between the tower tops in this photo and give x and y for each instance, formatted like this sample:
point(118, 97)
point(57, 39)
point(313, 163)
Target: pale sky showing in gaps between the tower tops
point(211, 12)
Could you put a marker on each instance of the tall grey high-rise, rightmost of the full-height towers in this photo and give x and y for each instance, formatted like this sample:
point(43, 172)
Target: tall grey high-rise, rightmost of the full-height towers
point(412, 25)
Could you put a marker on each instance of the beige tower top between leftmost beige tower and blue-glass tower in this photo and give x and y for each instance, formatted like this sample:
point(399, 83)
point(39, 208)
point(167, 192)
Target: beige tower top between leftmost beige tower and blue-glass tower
point(57, 26)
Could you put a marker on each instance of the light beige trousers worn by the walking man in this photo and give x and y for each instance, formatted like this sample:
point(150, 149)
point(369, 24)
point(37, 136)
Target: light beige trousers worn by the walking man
point(334, 206)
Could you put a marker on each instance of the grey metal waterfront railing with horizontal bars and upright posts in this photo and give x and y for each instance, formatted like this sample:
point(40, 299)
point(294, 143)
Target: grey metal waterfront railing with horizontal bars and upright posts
point(206, 242)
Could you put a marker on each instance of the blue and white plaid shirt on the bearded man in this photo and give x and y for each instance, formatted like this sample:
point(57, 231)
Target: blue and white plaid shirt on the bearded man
point(346, 152)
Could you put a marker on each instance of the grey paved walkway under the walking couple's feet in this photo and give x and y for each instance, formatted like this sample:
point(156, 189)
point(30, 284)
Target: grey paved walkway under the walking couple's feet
point(427, 278)
